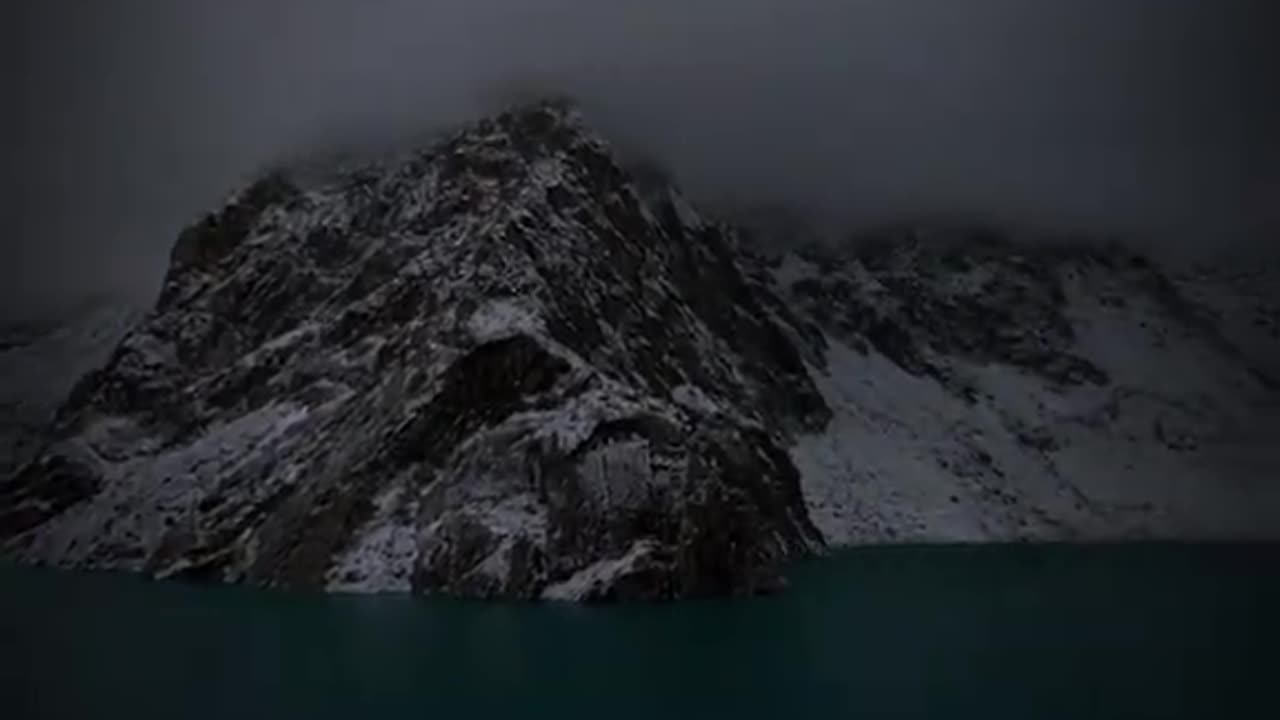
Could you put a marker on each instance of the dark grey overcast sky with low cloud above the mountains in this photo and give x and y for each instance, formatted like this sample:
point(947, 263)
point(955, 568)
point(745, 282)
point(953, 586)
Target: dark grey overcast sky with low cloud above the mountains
point(132, 117)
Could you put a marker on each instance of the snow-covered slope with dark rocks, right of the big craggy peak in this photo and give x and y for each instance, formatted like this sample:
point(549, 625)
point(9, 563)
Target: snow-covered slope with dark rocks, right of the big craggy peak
point(964, 427)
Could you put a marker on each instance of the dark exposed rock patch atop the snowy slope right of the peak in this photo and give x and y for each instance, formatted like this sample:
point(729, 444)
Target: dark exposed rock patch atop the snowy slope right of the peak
point(964, 293)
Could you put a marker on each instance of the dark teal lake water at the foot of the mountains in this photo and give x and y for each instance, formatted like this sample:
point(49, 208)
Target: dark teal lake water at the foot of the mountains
point(1156, 631)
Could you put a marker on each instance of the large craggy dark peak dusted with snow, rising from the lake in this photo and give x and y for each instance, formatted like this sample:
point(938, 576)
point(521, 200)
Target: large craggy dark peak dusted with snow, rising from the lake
point(491, 368)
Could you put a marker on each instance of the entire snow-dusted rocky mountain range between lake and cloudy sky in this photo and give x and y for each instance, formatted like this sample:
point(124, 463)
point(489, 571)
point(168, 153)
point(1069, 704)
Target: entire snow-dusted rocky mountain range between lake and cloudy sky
point(505, 366)
